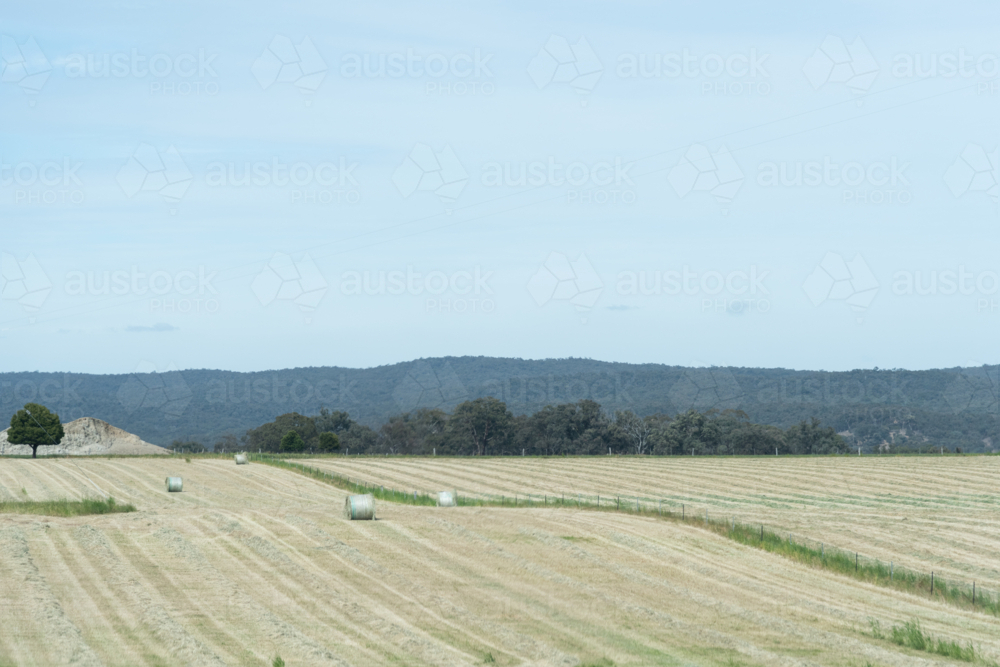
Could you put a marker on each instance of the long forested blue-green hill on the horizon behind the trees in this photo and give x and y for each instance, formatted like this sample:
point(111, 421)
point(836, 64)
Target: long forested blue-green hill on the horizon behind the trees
point(954, 407)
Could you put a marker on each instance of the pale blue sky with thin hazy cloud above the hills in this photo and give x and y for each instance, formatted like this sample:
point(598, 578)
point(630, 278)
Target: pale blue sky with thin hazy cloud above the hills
point(252, 186)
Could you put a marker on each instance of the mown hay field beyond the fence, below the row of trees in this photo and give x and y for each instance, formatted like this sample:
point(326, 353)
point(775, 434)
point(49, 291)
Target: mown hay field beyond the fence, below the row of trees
point(926, 513)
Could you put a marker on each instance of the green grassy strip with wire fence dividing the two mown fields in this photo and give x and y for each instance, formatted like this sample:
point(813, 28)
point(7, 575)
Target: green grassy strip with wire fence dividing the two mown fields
point(798, 547)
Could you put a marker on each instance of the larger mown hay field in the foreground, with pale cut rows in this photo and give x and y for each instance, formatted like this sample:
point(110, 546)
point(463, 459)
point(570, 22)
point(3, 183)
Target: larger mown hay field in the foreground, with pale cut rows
point(251, 561)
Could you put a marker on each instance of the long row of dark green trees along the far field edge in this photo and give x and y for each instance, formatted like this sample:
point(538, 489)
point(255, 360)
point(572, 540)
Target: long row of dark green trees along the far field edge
point(485, 426)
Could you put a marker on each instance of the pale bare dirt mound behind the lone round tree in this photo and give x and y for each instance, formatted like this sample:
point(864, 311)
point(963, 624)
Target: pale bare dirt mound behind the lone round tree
point(86, 437)
